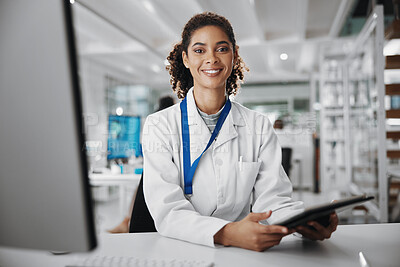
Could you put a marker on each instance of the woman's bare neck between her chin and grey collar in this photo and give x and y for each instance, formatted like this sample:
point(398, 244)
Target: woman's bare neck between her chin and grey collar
point(209, 101)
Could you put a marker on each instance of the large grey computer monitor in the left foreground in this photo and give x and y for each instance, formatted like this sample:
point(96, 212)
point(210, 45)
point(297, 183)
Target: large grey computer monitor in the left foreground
point(45, 200)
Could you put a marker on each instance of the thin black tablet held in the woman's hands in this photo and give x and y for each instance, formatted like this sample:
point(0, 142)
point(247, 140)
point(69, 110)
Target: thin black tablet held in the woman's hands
point(320, 213)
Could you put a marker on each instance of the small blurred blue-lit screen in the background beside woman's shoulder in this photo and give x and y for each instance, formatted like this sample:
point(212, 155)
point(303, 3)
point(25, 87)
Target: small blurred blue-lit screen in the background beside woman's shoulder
point(123, 137)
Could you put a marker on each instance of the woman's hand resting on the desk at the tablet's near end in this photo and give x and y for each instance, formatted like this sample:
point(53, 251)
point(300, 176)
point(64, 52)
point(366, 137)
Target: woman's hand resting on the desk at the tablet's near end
point(250, 234)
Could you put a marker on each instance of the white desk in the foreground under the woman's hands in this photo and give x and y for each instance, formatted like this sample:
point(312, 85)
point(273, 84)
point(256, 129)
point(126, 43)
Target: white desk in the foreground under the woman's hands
point(380, 243)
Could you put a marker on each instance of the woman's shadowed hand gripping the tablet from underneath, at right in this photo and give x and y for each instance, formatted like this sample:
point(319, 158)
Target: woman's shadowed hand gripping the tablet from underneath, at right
point(319, 232)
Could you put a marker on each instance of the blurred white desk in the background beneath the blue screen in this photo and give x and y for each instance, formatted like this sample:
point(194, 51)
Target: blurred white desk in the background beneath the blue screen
point(120, 180)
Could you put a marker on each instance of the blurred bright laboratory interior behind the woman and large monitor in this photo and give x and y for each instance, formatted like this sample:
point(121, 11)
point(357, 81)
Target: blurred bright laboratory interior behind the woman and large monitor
point(326, 73)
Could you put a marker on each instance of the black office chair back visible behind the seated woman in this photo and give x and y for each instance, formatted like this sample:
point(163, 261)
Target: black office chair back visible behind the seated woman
point(141, 220)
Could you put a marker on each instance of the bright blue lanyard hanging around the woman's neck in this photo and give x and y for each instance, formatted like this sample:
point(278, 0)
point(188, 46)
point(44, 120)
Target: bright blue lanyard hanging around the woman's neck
point(188, 171)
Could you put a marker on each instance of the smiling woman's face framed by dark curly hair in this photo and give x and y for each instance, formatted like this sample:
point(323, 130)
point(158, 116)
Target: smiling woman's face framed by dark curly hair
point(210, 58)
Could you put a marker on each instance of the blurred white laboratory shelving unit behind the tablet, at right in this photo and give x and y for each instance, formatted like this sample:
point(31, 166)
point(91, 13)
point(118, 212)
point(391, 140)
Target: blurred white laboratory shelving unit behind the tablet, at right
point(352, 118)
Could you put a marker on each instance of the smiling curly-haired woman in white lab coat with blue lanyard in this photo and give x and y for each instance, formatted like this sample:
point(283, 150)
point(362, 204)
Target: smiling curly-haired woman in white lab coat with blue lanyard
point(238, 172)
